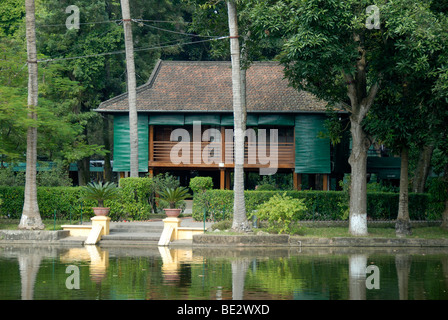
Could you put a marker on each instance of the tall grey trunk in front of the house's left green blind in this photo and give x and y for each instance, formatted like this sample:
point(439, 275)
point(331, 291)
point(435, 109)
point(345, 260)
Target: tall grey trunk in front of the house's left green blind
point(132, 94)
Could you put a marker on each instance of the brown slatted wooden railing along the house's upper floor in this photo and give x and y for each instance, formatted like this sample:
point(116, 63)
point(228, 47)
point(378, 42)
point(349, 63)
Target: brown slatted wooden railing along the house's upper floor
point(209, 153)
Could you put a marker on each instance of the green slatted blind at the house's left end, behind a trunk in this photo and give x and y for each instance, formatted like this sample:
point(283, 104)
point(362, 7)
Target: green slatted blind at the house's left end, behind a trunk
point(122, 144)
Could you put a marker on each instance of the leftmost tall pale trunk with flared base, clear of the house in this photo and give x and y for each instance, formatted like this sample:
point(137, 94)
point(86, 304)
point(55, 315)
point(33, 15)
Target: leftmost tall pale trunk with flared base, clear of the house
point(30, 215)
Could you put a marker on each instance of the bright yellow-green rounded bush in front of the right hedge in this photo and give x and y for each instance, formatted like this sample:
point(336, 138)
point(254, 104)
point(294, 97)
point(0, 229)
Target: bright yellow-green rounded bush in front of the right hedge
point(281, 211)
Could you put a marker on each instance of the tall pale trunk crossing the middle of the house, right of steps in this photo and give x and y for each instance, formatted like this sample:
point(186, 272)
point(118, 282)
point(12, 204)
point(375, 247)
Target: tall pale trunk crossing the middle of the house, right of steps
point(240, 222)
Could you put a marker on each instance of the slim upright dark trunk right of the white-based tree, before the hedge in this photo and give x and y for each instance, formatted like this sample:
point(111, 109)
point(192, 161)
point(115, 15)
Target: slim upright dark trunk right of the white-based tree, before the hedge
point(403, 223)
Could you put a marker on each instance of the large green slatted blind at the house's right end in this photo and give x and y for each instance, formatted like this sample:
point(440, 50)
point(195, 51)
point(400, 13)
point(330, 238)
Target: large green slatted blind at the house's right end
point(312, 154)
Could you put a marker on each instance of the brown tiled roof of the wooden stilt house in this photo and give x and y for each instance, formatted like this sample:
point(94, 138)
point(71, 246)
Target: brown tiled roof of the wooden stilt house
point(207, 86)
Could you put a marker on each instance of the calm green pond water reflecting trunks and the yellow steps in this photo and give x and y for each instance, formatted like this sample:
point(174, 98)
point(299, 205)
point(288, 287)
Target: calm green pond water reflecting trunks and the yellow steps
point(158, 273)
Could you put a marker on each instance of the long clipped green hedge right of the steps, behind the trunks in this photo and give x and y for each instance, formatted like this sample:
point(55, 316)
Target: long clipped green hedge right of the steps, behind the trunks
point(321, 205)
